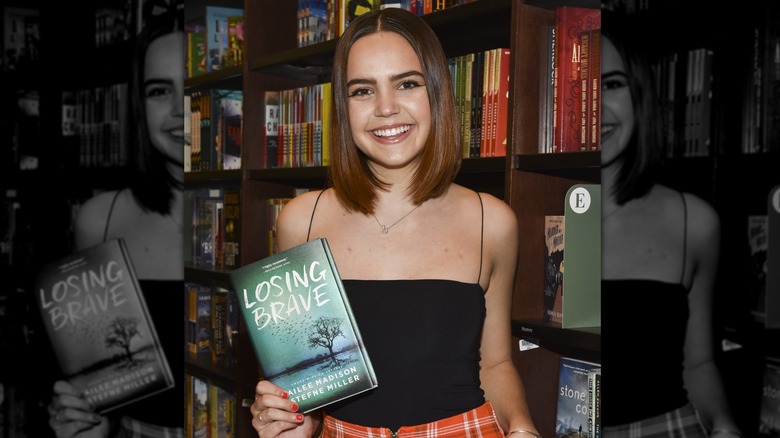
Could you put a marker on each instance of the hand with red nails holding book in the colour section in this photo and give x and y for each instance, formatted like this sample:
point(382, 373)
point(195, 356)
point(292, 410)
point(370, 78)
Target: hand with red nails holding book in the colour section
point(273, 415)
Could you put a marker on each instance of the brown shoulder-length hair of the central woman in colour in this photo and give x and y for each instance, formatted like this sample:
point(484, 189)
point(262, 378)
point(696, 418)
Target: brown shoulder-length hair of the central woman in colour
point(355, 185)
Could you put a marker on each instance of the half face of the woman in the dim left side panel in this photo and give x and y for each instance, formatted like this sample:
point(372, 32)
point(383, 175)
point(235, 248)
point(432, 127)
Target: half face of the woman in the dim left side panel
point(163, 90)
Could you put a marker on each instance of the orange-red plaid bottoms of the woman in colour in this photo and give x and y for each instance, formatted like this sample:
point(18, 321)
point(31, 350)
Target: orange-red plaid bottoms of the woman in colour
point(480, 422)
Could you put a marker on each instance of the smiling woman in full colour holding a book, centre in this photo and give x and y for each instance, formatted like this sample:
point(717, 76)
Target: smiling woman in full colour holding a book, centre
point(428, 265)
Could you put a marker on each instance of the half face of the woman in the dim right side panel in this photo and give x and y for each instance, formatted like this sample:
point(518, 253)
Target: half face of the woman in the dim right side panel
point(617, 109)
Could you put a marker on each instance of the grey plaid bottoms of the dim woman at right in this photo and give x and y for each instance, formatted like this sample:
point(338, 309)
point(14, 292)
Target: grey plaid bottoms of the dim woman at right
point(680, 423)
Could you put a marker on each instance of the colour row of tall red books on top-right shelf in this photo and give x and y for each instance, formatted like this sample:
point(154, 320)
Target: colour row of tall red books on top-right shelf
point(570, 109)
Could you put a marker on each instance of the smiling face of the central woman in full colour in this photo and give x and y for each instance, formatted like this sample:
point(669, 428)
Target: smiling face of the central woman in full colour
point(389, 111)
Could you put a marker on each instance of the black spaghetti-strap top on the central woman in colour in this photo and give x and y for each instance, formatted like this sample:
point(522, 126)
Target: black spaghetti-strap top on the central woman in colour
point(423, 337)
